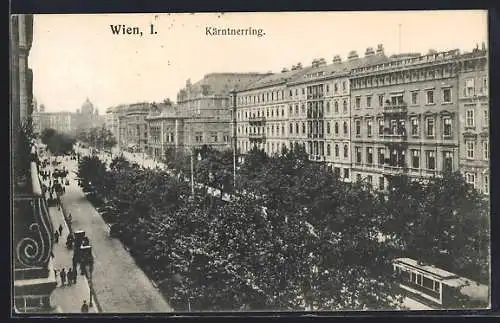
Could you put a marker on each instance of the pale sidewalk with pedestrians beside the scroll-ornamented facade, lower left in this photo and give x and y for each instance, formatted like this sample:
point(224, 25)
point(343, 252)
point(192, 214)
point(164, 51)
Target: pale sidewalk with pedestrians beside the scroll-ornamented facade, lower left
point(68, 299)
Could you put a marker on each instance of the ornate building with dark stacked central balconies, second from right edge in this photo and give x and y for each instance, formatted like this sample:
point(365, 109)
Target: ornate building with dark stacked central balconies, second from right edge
point(404, 117)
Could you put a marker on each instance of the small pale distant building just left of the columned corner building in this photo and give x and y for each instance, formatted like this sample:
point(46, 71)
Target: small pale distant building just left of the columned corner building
point(133, 130)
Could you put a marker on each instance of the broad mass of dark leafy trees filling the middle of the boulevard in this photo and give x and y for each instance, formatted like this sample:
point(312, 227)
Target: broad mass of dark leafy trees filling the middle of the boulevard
point(299, 238)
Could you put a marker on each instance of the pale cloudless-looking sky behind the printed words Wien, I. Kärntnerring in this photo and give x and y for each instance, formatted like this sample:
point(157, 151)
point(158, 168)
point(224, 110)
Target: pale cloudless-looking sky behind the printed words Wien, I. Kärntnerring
point(77, 56)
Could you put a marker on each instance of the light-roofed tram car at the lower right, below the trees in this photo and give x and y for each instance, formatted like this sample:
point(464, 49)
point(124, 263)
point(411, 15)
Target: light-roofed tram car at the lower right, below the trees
point(437, 287)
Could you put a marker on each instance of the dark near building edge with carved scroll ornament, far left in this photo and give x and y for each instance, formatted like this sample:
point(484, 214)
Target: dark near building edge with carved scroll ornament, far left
point(33, 278)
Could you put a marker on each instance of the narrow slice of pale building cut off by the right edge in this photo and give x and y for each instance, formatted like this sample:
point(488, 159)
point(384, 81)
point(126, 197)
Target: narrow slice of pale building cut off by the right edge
point(473, 105)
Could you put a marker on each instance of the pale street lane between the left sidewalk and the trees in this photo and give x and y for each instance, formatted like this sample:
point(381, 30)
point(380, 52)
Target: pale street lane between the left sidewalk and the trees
point(120, 285)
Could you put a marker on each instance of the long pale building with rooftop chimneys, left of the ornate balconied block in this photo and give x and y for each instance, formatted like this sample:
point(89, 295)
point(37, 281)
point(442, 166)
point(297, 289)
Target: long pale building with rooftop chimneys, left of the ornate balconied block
point(313, 111)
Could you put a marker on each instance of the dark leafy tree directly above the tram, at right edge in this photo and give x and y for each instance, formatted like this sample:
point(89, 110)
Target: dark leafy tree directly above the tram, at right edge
point(443, 221)
